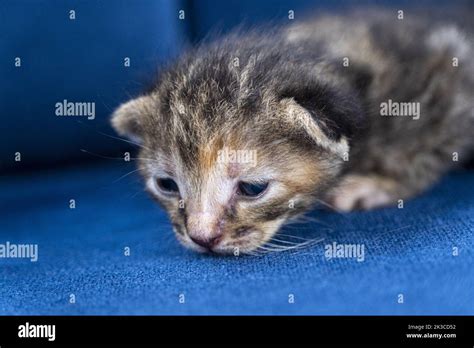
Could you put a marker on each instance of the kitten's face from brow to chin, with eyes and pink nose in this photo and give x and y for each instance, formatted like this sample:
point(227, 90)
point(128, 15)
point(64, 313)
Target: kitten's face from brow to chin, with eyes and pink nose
point(235, 195)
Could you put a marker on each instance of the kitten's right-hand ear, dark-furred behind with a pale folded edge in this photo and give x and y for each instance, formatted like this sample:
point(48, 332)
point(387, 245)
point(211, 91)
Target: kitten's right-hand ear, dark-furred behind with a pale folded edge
point(331, 120)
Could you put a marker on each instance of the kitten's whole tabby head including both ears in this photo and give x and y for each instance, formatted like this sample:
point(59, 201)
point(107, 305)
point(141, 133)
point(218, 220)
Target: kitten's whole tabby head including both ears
point(232, 163)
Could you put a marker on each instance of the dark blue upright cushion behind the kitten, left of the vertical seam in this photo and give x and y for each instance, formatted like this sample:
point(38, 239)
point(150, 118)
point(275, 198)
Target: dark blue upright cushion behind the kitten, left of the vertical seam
point(79, 60)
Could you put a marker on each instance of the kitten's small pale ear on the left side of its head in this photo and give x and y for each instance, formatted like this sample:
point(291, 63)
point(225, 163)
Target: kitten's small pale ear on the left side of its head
point(128, 118)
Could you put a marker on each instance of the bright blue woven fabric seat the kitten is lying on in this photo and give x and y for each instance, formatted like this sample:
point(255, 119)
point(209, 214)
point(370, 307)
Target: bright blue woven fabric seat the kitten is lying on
point(409, 251)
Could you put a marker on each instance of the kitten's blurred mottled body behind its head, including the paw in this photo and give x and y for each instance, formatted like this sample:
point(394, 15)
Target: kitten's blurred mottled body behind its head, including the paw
point(415, 59)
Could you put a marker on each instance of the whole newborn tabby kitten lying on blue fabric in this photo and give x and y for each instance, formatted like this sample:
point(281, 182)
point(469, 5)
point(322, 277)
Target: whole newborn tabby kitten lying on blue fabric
point(242, 134)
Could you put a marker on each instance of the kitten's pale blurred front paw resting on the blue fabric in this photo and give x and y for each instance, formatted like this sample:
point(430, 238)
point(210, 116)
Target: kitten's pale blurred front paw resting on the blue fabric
point(362, 192)
